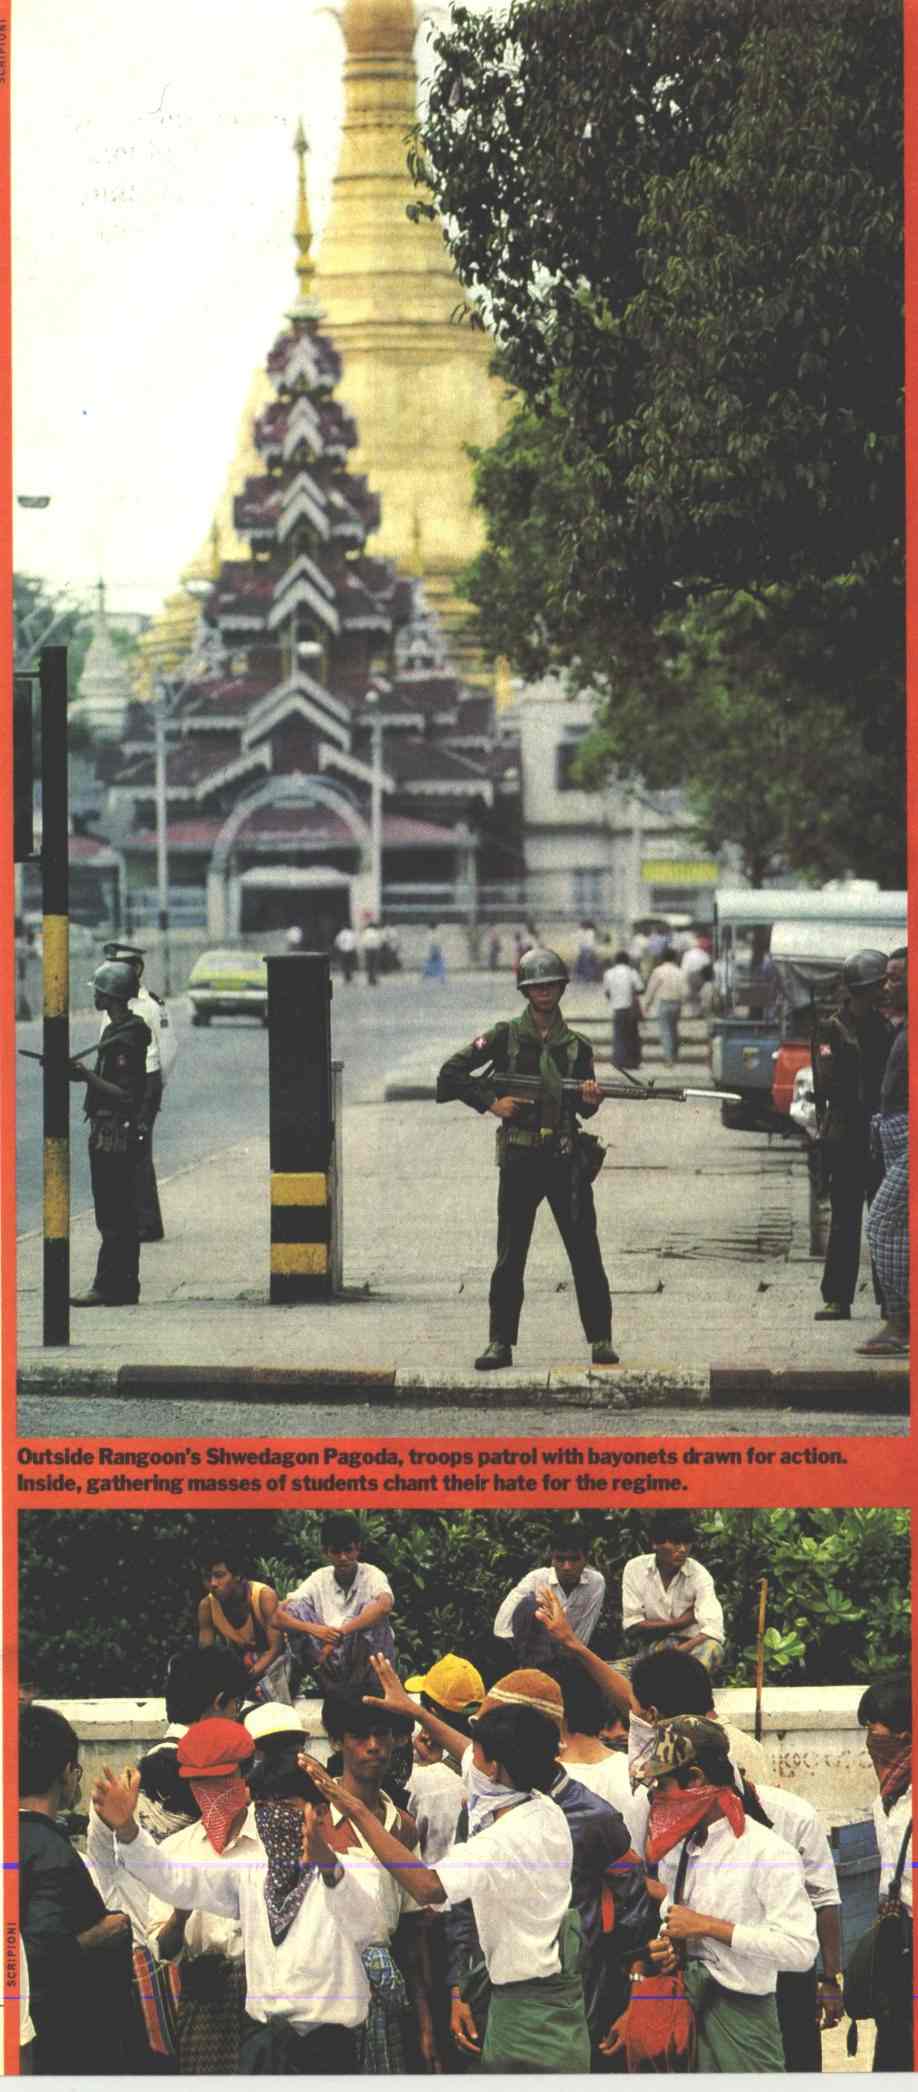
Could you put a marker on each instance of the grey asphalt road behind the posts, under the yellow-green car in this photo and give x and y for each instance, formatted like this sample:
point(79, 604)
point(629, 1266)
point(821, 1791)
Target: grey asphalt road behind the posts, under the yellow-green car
point(219, 1089)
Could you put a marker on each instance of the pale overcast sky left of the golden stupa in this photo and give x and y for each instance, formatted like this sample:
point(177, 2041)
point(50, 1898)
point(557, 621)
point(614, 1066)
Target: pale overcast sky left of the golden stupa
point(154, 198)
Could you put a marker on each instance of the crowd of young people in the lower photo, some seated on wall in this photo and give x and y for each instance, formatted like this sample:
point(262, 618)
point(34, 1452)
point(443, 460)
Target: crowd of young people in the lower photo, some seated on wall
point(580, 1865)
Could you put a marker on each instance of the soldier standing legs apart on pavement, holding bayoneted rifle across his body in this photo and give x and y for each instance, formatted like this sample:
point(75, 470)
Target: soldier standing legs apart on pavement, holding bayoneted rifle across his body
point(541, 1154)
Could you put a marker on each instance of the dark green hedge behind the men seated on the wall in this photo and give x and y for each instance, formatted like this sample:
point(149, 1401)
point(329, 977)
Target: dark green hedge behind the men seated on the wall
point(106, 1597)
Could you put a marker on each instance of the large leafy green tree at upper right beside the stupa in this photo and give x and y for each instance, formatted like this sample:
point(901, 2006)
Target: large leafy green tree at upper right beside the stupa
point(685, 225)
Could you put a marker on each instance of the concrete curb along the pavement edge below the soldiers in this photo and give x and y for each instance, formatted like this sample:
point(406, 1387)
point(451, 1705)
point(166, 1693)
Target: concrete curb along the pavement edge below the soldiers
point(601, 1388)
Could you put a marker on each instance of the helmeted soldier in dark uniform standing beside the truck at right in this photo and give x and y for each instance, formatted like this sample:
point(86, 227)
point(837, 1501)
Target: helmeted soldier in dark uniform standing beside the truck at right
point(850, 1053)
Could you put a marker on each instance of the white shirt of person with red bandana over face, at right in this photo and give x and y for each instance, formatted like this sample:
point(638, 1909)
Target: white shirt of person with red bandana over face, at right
point(756, 1884)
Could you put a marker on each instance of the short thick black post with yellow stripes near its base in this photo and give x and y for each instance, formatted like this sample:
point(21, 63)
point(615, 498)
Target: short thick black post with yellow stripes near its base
point(300, 1104)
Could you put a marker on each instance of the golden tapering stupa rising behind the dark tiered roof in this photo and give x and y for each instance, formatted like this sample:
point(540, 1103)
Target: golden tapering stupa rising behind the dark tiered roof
point(415, 380)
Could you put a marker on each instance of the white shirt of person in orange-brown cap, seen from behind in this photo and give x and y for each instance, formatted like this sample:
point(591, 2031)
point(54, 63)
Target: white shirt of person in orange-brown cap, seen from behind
point(518, 1875)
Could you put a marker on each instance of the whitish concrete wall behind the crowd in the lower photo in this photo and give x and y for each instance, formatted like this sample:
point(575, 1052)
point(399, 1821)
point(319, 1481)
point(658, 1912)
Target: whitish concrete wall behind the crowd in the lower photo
point(810, 1735)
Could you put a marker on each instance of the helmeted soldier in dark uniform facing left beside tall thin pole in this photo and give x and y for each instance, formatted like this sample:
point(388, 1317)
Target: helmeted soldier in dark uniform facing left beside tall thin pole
point(114, 1108)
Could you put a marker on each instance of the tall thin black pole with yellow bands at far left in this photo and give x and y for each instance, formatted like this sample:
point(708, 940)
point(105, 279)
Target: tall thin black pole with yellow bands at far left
point(58, 1024)
